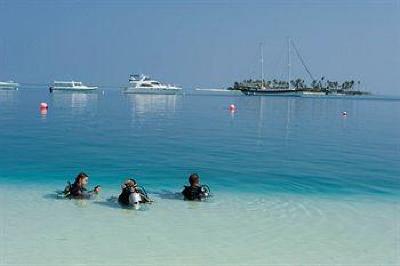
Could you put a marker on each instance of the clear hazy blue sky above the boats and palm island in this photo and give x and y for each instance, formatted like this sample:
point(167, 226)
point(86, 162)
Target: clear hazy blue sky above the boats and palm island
point(200, 44)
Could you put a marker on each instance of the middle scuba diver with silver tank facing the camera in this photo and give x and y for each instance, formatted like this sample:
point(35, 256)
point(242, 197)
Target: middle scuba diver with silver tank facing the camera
point(132, 194)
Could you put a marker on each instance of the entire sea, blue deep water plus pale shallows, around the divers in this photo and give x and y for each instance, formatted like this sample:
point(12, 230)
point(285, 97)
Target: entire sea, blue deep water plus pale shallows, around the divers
point(294, 181)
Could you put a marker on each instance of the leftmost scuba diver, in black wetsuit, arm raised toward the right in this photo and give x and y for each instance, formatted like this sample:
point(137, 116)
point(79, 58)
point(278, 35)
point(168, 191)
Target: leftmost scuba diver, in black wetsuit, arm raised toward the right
point(78, 190)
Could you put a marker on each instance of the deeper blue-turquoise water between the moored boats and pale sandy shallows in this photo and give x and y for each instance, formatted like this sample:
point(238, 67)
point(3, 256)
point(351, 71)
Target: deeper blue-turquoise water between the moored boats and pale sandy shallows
point(293, 145)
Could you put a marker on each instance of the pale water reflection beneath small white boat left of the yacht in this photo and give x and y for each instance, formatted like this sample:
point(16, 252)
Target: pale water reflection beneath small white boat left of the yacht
point(79, 101)
